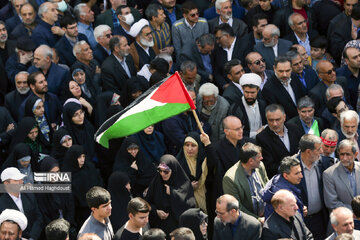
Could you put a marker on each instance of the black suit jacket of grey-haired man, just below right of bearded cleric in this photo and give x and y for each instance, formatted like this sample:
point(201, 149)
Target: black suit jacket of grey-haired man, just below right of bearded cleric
point(274, 150)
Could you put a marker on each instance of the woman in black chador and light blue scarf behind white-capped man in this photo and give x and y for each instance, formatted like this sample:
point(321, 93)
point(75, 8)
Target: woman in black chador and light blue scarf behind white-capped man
point(23, 159)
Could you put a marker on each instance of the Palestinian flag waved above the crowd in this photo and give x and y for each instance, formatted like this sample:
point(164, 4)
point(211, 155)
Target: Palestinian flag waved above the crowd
point(163, 100)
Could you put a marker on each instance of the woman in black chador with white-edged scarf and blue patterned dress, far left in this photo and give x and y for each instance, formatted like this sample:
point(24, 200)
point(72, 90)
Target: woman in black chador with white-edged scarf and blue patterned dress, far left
point(34, 107)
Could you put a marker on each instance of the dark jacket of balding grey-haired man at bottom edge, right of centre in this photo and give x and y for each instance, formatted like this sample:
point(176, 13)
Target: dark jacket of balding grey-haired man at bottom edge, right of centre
point(249, 228)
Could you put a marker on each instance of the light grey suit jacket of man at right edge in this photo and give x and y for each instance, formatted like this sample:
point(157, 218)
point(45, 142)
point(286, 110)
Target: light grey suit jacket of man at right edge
point(337, 190)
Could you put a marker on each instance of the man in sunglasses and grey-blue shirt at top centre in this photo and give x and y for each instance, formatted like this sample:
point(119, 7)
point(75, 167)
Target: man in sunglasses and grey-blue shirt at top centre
point(189, 28)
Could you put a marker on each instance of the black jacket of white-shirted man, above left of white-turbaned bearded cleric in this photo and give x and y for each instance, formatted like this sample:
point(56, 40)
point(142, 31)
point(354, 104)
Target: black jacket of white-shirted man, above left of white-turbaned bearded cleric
point(220, 58)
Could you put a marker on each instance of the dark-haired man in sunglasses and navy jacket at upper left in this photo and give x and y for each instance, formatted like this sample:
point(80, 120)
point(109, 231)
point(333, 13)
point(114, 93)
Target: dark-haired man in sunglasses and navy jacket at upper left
point(66, 43)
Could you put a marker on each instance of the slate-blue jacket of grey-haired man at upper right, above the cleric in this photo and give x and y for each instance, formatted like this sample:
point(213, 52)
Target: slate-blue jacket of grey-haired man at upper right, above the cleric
point(268, 52)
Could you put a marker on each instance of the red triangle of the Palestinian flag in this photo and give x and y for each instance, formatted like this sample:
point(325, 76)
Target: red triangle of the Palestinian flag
point(173, 91)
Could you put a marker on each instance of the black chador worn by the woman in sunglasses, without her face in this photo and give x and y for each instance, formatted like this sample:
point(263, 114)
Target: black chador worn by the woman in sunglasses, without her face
point(181, 192)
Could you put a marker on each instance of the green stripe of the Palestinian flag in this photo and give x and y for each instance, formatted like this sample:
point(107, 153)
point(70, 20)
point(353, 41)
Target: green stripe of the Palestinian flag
point(136, 122)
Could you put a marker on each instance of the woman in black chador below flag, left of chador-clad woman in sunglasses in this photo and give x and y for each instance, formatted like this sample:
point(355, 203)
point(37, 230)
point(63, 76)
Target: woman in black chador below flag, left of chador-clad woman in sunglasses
point(131, 160)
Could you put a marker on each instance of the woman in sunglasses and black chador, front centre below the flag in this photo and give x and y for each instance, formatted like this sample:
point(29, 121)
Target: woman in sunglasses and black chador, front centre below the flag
point(170, 194)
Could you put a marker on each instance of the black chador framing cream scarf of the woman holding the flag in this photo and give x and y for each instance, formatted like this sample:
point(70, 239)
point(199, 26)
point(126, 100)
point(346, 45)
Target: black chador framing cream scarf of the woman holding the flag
point(199, 161)
